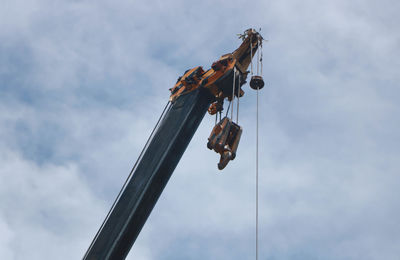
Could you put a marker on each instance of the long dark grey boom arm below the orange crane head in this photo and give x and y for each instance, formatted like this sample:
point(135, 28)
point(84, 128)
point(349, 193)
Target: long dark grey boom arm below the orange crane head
point(152, 172)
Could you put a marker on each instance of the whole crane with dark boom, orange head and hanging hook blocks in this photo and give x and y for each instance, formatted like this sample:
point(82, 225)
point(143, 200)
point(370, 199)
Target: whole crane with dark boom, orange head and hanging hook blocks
point(195, 92)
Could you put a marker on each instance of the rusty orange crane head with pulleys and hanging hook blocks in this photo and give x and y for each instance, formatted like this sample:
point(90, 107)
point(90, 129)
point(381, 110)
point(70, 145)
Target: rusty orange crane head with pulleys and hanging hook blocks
point(224, 80)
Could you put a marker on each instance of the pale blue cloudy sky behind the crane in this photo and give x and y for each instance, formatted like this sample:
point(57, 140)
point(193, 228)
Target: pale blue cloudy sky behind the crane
point(82, 83)
